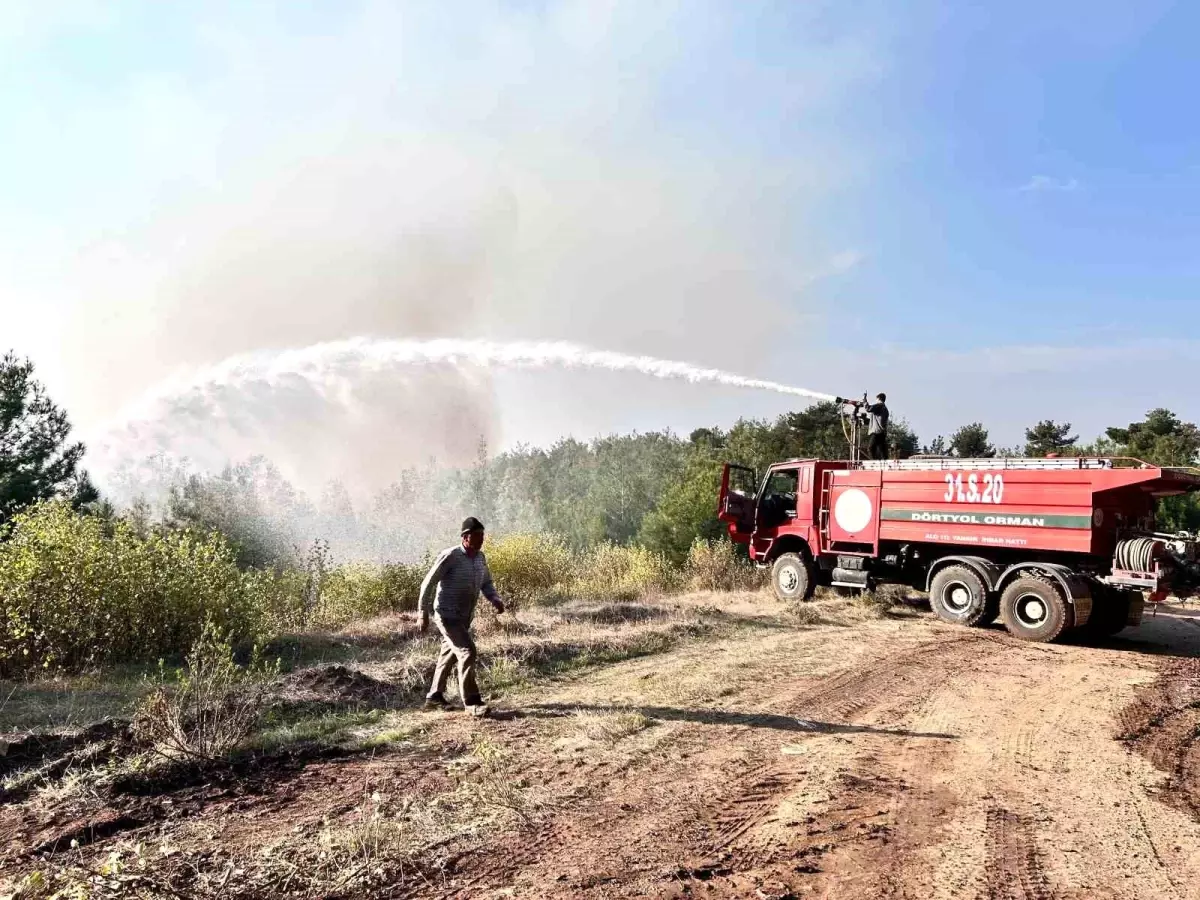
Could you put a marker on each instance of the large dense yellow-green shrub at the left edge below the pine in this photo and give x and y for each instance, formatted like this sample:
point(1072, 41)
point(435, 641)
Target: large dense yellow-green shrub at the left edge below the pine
point(80, 591)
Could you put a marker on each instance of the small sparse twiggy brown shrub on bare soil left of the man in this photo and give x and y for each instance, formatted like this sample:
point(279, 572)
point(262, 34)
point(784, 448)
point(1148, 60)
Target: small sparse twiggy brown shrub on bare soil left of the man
point(215, 706)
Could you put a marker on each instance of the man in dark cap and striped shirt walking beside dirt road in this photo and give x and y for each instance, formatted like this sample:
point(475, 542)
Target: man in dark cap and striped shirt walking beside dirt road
point(451, 592)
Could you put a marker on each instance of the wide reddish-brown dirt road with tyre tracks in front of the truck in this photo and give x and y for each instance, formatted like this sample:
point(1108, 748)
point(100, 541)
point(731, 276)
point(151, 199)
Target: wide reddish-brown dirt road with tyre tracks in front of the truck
point(903, 760)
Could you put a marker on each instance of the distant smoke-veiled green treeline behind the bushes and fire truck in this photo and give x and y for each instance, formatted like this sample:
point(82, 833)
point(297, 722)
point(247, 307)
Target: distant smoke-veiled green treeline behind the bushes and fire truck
point(656, 490)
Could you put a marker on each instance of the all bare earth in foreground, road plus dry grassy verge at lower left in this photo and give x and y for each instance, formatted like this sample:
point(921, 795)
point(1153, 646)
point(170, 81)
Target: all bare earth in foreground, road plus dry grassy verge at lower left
point(715, 746)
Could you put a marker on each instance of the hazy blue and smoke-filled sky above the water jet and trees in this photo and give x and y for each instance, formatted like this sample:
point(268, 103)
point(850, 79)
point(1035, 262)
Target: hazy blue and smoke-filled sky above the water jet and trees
point(989, 212)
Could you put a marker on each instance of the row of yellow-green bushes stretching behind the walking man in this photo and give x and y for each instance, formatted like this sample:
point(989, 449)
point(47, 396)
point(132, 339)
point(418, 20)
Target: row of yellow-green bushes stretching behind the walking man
point(81, 592)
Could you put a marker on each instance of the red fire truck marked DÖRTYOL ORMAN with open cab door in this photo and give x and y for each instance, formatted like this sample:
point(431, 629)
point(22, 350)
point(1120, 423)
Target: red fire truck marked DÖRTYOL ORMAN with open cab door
point(1046, 544)
